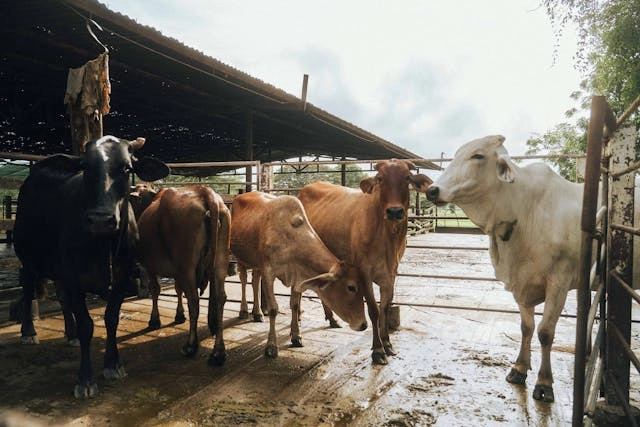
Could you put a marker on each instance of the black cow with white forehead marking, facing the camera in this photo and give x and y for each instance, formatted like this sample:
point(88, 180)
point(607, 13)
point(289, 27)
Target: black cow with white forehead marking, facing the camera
point(74, 225)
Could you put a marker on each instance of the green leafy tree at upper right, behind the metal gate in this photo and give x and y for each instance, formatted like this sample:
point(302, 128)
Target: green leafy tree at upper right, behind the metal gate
point(608, 55)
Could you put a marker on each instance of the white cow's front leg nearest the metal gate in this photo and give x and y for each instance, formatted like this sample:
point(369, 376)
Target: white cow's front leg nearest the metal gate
point(555, 300)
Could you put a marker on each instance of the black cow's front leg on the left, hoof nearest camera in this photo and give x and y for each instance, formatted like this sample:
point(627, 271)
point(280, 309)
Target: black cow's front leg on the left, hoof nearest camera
point(86, 386)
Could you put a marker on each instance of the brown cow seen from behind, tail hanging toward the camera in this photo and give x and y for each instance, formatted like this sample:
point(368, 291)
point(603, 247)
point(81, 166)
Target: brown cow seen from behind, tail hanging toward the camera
point(184, 234)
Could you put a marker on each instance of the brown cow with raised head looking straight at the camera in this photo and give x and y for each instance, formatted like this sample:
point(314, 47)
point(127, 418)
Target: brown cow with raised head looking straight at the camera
point(368, 228)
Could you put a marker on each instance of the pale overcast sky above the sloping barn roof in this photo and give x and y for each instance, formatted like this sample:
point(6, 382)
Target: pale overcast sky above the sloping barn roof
point(427, 75)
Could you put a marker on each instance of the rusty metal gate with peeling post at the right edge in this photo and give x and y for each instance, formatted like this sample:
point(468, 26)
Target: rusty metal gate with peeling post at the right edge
point(602, 364)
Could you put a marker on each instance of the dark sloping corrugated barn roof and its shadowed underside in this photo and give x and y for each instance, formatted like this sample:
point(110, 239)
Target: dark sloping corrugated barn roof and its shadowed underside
point(188, 105)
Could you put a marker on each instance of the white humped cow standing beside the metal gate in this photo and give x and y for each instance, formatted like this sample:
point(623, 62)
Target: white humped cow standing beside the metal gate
point(532, 216)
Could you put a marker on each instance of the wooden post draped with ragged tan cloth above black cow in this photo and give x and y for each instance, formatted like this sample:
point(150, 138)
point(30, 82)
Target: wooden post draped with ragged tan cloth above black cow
point(87, 99)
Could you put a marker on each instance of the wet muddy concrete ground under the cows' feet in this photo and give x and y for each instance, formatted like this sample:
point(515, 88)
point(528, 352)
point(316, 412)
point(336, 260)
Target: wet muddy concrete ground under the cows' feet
point(455, 344)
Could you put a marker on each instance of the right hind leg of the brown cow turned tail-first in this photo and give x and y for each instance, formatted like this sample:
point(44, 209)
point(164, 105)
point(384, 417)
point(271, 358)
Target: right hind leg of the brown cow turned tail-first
point(217, 299)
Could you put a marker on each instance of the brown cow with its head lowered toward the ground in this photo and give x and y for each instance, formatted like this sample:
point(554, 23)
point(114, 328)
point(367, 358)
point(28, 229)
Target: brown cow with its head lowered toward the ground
point(273, 234)
